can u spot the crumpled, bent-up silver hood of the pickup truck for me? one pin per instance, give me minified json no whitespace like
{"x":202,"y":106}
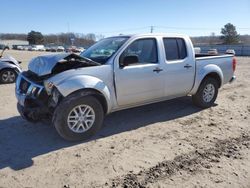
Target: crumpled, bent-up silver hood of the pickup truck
{"x":43,"y":65}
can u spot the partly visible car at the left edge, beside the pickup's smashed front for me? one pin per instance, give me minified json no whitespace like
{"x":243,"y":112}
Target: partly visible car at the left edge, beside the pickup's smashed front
{"x":9,"y":69}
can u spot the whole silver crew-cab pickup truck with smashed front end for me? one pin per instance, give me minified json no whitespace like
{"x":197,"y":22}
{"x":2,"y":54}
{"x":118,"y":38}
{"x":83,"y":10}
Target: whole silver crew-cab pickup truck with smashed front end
{"x":75,"y":92}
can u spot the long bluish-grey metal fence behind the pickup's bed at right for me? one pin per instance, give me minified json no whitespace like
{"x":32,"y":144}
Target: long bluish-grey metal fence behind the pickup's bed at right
{"x":240,"y":50}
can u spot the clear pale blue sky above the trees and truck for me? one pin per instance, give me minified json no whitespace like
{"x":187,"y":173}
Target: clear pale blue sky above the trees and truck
{"x":113,"y":17}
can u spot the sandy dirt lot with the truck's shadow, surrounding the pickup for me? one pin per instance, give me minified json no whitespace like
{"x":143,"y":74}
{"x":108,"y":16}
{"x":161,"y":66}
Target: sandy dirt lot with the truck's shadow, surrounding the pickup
{"x":169,"y":144}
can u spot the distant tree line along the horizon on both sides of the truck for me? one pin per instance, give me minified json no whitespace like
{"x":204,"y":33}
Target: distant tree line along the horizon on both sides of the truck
{"x":229,"y":35}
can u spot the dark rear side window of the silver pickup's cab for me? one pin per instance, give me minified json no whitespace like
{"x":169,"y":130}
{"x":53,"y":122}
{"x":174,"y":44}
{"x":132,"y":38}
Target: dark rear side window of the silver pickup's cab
{"x":175,"y":49}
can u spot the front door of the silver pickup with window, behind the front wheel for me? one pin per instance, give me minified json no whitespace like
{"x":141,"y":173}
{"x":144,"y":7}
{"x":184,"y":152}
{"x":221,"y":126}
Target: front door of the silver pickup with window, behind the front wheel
{"x":142,"y":81}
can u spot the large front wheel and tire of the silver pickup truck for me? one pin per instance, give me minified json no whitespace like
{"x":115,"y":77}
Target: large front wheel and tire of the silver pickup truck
{"x":67,"y":112}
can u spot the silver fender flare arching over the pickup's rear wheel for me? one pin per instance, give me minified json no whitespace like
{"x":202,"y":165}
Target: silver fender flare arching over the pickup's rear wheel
{"x":205,"y":71}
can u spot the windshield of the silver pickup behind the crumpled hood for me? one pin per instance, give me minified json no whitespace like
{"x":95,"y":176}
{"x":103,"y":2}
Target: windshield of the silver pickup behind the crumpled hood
{"x":104,"y":49}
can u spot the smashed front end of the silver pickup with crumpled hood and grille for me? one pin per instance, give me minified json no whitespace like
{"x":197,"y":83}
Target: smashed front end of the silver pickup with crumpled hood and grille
{"x":37,"y":98}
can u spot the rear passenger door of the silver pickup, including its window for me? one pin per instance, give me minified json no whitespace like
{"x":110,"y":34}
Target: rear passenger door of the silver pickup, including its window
{"x":179,"y":67}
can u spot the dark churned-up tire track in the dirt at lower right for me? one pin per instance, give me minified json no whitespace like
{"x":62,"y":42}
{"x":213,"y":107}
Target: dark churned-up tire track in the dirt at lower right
{"x":191,"y":163}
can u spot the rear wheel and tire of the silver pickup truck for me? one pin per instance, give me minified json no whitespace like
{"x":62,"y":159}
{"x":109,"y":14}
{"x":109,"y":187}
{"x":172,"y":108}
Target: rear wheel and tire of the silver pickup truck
{"x":207,"y":93}
